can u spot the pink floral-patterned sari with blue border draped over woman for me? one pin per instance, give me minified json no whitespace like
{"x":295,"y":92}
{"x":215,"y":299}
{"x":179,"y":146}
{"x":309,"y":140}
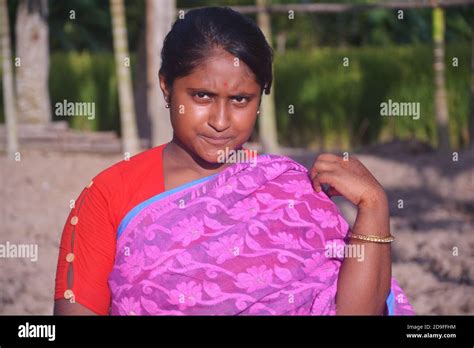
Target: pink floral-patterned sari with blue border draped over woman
{"x":251,"y":240}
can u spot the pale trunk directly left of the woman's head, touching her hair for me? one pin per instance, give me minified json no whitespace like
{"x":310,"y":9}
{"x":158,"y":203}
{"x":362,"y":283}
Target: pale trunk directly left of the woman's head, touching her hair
{"x":159,"y":18}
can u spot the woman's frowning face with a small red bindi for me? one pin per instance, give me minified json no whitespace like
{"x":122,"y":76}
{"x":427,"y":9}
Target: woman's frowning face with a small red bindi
{"x":214,"y":107}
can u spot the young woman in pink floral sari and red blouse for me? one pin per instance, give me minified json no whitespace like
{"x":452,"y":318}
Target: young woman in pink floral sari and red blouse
{"x":175,"y":230}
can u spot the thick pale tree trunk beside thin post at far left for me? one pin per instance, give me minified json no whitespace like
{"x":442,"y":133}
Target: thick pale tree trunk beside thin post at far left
{"x":32,"y":45}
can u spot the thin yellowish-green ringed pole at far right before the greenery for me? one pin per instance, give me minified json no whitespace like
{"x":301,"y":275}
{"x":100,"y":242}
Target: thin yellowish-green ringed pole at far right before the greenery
{"x":441,"y":102}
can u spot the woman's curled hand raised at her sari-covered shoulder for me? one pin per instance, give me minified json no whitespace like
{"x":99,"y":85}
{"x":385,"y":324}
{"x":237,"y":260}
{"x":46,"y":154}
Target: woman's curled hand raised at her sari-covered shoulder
{"x":349,"y":178}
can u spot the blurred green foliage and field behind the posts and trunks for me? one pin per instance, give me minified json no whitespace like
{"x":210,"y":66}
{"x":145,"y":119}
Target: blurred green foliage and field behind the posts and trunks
{"x":333,"y":105}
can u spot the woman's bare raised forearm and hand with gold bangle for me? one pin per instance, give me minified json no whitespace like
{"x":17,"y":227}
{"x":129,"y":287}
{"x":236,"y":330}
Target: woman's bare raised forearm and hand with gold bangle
{"x":364,"y":283}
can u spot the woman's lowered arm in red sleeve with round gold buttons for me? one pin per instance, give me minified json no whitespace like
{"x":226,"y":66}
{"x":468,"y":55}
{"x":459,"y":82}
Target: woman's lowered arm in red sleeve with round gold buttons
{"x":87,"y":250}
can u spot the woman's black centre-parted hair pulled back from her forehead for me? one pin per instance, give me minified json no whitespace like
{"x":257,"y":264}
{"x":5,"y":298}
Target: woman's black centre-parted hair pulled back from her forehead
{"x":202,"y":30}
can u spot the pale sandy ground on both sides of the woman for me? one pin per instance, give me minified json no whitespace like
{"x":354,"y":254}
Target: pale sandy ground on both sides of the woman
{"x":433,"y":256}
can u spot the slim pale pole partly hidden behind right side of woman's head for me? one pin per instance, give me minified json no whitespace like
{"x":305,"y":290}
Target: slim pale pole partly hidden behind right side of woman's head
{"x":266,"y":119}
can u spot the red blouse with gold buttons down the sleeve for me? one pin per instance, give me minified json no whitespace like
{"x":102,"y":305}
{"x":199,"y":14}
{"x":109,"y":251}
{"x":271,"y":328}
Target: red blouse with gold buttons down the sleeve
{"x":87,"y":248}
